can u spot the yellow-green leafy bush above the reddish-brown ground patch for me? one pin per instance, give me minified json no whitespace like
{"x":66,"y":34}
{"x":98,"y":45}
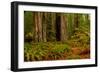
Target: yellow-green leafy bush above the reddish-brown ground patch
{"x":80,"y":39}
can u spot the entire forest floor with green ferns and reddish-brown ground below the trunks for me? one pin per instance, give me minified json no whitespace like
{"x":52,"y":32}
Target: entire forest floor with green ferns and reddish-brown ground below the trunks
{"x":54,"y":51}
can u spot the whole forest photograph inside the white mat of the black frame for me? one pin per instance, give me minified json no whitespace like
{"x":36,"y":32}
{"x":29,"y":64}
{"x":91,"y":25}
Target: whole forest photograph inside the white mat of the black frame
{"x":56,"y":36}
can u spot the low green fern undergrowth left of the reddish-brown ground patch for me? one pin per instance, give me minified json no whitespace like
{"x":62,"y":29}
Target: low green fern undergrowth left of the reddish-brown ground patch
{"x":44,"y":51}
